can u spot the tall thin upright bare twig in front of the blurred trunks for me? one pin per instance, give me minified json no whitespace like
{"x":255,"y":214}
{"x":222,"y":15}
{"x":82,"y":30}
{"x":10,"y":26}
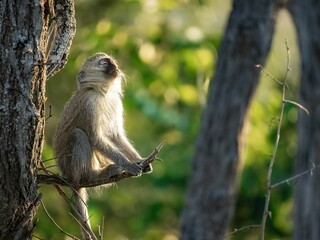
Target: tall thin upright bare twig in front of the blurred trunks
{"x":266,"y":211}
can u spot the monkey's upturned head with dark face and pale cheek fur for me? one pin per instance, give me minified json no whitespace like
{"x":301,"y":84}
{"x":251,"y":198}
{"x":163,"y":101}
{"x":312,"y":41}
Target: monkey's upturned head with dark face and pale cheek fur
{"x":99,"y":70}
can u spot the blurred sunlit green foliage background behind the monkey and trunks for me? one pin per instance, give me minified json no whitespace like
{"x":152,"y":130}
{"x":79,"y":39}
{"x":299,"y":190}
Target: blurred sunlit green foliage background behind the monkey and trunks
{"x":168,"y":50}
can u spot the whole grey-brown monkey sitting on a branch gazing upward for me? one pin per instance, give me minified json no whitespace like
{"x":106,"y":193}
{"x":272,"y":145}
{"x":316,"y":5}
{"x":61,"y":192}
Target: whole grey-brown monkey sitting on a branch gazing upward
{"x":90,"y":140}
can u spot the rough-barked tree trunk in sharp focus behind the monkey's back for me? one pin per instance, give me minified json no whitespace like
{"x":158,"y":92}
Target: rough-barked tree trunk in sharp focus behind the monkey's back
{"x":23,"y":31}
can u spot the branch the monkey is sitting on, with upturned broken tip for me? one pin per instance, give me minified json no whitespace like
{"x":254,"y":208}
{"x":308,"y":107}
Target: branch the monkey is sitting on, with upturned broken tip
{"x":56,"y":179}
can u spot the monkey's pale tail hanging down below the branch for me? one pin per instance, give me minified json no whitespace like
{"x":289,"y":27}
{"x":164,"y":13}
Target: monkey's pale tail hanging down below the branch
{"x":81,"y":197}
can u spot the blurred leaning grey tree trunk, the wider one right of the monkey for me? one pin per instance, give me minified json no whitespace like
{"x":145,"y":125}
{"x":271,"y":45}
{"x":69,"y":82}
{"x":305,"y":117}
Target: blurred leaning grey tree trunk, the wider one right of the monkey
{"x":210,"y":197}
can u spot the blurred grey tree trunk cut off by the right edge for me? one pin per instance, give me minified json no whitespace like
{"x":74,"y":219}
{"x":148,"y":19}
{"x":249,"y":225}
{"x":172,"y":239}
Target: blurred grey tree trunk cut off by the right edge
{"x":306,"y":15}
